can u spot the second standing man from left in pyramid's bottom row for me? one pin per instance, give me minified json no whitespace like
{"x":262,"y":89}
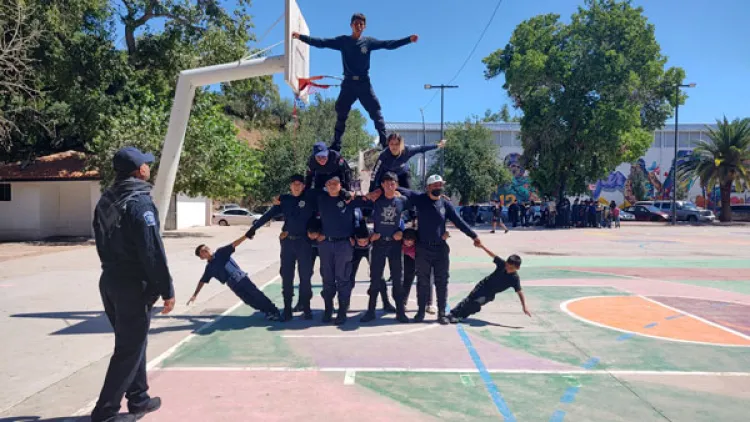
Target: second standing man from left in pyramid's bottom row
{"x":337,"y":217}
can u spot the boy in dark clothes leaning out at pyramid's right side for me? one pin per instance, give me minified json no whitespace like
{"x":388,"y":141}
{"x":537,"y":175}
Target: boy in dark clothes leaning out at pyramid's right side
{"x":504,"y":277}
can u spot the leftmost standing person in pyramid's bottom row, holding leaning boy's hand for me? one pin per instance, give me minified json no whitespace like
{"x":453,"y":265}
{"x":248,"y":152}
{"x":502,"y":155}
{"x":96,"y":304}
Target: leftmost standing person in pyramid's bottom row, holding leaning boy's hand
{"x":298,"y":208}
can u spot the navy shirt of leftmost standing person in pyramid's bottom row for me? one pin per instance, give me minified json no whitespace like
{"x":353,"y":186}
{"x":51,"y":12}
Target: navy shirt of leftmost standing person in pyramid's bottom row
{"x":297,"y":211}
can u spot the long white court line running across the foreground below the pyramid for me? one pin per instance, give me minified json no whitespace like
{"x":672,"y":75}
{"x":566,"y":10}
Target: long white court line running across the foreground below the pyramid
{"x":445,"y":370}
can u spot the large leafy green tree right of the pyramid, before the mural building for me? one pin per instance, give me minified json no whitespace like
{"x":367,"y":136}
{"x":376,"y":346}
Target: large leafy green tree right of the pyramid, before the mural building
{"x":592,"y":92}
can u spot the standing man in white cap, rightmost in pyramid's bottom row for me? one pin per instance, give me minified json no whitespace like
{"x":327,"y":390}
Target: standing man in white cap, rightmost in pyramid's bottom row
{"x":432,"y":253}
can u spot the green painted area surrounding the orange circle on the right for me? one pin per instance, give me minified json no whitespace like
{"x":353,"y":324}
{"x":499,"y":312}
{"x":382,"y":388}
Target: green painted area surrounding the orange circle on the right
{"x":555,"y":335}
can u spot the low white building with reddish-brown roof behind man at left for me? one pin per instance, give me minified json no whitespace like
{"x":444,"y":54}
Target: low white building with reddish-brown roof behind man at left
{"x":55,"y":196}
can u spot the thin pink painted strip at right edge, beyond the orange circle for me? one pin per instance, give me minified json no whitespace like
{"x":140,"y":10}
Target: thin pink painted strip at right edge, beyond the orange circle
{"x":715,"y":274}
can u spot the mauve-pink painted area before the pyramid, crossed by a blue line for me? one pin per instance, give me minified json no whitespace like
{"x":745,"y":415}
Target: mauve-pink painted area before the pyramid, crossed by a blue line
{"x":437,"y":347}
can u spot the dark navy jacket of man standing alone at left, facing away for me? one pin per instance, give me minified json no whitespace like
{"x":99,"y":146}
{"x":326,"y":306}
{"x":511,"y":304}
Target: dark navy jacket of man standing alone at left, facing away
{"x":126,"y":228}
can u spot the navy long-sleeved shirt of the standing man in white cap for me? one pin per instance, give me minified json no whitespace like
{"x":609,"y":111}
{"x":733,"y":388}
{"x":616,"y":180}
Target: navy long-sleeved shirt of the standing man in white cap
{"x":432,"y":216}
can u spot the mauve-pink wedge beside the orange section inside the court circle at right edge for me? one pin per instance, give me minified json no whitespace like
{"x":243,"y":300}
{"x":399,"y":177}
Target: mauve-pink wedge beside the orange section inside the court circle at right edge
{"x":730,"y":315}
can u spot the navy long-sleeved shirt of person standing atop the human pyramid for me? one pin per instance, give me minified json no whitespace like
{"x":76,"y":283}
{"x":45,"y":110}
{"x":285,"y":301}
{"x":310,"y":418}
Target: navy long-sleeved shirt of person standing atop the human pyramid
{"x":355,"y":54}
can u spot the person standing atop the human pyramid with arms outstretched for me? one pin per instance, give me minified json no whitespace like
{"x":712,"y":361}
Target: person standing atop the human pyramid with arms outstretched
{"x":355,"y":55}
